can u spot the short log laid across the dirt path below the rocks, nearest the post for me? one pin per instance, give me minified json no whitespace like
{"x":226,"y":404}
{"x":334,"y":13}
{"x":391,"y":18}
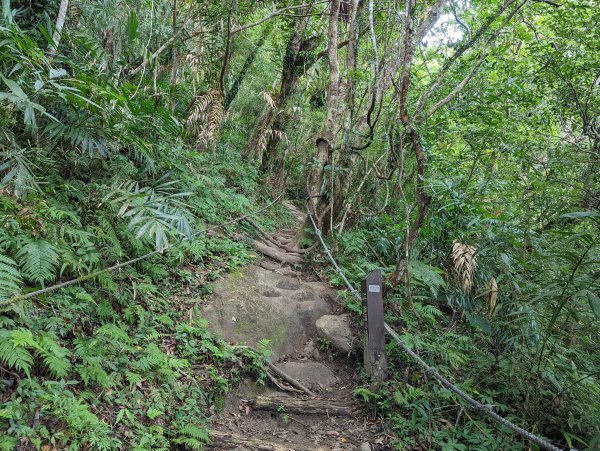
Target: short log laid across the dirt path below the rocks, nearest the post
{"x":302,"y":406}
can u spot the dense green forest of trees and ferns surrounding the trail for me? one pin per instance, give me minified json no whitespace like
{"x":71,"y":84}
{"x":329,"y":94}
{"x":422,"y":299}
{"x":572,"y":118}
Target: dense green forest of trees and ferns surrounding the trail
{"x":454,"y":144}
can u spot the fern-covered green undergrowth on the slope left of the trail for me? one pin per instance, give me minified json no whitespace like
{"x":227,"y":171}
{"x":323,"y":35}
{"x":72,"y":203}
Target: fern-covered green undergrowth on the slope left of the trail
{"x":92,"y":175}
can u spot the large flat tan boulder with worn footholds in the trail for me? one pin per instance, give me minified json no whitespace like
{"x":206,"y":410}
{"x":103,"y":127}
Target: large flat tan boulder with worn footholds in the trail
{"x":258,"y":303}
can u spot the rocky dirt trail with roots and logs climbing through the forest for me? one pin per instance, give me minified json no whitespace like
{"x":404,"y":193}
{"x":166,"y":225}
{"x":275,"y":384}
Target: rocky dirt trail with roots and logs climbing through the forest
{"x":296,"y":312}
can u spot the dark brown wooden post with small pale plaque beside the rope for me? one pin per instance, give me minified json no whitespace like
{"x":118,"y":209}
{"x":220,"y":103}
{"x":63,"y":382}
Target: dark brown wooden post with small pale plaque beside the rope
{"x":374,"y":342}
